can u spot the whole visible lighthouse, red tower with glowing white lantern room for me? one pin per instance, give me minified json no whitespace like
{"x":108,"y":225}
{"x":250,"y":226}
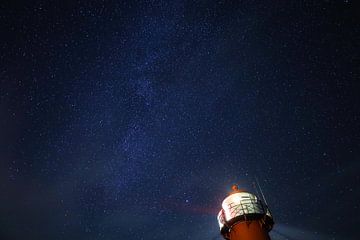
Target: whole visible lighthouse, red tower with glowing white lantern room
{"x":244,"y":217}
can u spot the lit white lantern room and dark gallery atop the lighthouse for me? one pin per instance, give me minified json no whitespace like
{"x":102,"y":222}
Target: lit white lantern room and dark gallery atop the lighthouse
{"x":241,"y":206}
